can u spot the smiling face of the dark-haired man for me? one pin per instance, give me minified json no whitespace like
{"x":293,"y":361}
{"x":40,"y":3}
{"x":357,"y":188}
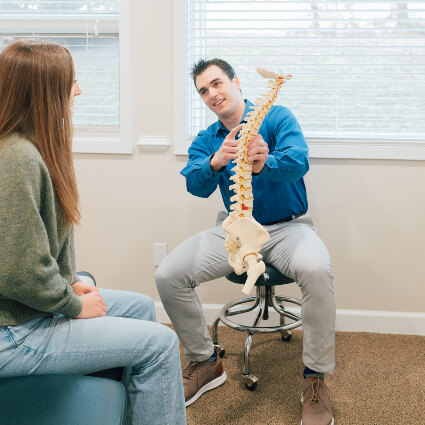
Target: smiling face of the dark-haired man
{"x":219,"y":93}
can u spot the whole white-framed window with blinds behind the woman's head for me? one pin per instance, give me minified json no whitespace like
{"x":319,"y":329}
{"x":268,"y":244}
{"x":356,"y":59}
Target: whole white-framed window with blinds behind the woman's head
{"x":97,"y":34}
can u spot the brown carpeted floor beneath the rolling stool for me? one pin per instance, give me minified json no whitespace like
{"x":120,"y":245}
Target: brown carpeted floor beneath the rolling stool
{"x":378,"y":380}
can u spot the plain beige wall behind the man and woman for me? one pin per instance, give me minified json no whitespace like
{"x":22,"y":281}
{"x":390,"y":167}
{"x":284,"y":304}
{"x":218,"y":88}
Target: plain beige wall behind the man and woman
{"x":368,"y":212}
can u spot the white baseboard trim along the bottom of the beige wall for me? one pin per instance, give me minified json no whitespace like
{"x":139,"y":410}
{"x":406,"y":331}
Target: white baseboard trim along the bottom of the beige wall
{"x":388,"y":322}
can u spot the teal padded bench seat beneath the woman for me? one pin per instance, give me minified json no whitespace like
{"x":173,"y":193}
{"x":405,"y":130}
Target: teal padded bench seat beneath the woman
{"x":61,"y":399}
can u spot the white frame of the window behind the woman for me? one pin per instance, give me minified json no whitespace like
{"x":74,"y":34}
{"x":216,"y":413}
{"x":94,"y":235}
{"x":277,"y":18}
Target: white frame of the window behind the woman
{"x":88,"y":140}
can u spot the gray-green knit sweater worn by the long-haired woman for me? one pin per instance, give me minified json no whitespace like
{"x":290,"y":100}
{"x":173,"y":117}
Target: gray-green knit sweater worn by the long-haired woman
{"x":37,"y":263}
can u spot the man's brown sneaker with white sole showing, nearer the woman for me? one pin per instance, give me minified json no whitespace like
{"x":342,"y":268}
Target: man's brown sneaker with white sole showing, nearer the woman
{"x":200,"y":377}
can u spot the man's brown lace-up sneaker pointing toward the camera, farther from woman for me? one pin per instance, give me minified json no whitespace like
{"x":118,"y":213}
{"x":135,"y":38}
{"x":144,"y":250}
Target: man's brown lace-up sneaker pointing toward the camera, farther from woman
{"x":317,"y":409}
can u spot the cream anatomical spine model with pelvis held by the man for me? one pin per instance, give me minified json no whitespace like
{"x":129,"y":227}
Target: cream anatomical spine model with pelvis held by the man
{"x":244,"y":235}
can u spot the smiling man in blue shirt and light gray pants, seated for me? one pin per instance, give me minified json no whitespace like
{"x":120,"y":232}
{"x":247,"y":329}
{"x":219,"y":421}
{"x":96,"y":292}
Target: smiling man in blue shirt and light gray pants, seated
{"x":280,"y":156}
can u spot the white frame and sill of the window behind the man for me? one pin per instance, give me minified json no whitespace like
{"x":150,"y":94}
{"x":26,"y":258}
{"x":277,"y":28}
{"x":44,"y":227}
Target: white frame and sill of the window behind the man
{"x":373,"y":147}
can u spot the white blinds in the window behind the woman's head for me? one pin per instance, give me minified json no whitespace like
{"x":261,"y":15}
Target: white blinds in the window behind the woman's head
{"x":89,"y":29}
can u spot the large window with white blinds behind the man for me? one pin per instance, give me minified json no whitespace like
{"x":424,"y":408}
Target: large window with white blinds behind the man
{"x":358,"y":67}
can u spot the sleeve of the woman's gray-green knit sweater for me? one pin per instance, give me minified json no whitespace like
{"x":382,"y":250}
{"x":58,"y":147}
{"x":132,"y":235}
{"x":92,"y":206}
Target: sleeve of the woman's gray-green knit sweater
{"x":29,"y":273}
